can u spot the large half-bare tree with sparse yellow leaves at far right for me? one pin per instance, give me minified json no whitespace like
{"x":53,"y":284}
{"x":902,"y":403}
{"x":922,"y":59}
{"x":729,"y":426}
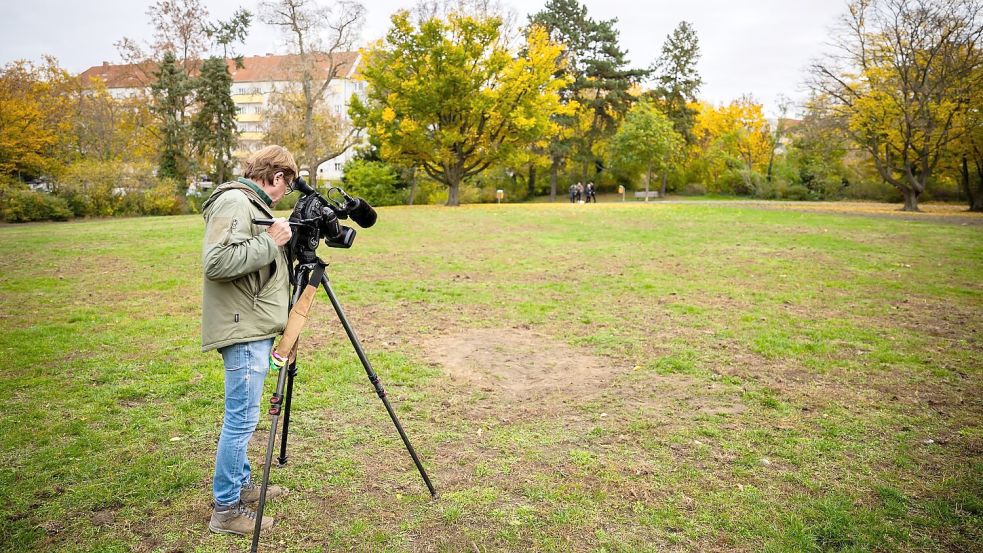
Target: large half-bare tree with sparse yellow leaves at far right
{"x":895,"y":88}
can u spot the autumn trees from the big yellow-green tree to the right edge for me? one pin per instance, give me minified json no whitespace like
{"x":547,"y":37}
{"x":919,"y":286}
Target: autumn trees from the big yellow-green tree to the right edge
{"x":456,"y":98}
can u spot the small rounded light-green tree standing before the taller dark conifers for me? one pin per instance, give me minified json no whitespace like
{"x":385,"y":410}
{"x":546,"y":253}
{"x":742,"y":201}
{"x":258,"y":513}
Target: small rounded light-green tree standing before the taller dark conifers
{"x":646,"y":143}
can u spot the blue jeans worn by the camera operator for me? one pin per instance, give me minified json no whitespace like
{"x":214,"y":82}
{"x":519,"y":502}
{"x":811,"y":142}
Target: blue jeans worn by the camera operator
{"x":246,"y":365}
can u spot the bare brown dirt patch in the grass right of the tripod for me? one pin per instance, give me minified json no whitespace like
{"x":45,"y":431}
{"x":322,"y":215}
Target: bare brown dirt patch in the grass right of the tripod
{"x":517,"y":362}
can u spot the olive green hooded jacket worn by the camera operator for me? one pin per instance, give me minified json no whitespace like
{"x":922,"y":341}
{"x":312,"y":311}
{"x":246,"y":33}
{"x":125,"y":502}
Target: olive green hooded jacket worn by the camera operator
{"x":245,"y":294}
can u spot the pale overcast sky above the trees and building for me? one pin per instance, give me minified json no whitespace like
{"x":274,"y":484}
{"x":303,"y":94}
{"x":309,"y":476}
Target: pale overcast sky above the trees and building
{"x":758,"y":47}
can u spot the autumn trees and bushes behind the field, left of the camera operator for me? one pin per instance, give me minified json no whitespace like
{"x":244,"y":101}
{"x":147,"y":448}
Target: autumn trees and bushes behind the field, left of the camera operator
{"x":71,"y":148}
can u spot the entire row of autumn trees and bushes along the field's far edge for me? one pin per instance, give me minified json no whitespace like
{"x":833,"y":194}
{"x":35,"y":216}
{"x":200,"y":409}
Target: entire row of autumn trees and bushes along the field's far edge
{"x":463,"y":101}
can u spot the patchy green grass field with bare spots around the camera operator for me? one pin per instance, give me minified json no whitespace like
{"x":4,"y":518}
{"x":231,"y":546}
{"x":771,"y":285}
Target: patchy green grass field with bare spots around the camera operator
{"x":575,"y":378}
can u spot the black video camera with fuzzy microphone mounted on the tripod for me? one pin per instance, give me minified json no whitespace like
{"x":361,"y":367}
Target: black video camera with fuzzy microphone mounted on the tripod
{"x":316,"y":216}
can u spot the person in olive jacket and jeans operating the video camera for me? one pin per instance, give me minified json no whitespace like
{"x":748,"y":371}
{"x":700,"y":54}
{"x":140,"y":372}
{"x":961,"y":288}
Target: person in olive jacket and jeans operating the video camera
{"x":245,"y":300}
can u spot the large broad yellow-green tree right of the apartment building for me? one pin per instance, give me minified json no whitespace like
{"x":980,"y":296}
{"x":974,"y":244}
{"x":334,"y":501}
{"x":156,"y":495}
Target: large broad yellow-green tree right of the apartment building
{"x":448,"y":97}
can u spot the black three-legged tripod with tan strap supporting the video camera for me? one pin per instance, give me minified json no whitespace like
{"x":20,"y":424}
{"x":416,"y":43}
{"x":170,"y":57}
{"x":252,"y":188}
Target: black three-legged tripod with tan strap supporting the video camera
{"x":307,"y":278}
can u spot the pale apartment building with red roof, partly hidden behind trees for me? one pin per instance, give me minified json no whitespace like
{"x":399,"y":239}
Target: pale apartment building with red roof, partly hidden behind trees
{"x":253,"y":85}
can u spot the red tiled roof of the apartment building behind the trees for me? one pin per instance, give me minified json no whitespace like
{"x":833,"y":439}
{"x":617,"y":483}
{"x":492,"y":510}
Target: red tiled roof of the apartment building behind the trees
{"x":255,"y":69}
